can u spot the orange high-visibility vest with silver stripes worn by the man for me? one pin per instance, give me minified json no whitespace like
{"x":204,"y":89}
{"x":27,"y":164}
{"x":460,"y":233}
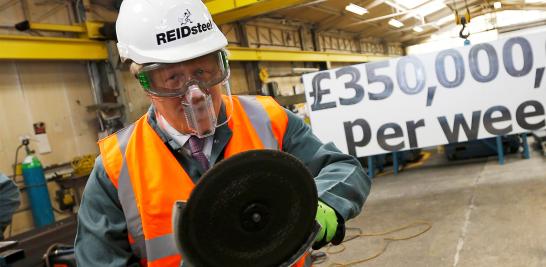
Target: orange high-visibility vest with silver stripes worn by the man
{"x":149,"y":179}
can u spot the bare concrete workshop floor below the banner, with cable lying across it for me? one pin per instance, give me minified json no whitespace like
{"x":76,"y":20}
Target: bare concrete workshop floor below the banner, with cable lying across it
{"x":482,"y":214}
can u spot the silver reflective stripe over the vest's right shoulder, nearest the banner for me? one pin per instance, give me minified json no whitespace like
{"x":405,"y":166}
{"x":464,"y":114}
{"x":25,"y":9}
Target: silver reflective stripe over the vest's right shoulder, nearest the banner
{"x":260,"y":120}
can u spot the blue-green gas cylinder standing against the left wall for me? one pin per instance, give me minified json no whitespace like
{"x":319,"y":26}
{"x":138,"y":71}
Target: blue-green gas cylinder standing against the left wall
{"x":36,"y":188}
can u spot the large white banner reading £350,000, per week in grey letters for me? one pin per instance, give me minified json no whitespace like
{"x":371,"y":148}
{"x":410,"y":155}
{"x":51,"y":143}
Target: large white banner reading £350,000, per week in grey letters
{"x":451,"y":96}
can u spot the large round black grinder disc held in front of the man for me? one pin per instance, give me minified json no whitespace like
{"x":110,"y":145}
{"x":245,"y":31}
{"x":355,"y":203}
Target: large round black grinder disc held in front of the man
{"x":253,"y":209}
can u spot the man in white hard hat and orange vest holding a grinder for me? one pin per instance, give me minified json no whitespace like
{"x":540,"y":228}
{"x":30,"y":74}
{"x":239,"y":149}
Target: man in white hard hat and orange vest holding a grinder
{"x":178,"y":55}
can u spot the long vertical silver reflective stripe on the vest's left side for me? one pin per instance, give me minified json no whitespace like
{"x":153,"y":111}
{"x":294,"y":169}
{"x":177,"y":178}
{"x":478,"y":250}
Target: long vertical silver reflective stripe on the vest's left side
{"x":127,"y":197}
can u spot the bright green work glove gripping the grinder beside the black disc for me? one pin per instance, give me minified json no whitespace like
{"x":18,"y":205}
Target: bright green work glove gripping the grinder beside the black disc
{"x":327,"y":218}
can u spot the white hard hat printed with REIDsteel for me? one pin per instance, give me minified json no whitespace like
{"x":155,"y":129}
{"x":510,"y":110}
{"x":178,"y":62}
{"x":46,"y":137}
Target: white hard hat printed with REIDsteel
{"x":166,"y":31}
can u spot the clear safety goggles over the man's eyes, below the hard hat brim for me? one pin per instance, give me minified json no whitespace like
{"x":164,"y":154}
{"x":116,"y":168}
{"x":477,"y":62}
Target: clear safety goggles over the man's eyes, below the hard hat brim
{"x":174,"y":79}
